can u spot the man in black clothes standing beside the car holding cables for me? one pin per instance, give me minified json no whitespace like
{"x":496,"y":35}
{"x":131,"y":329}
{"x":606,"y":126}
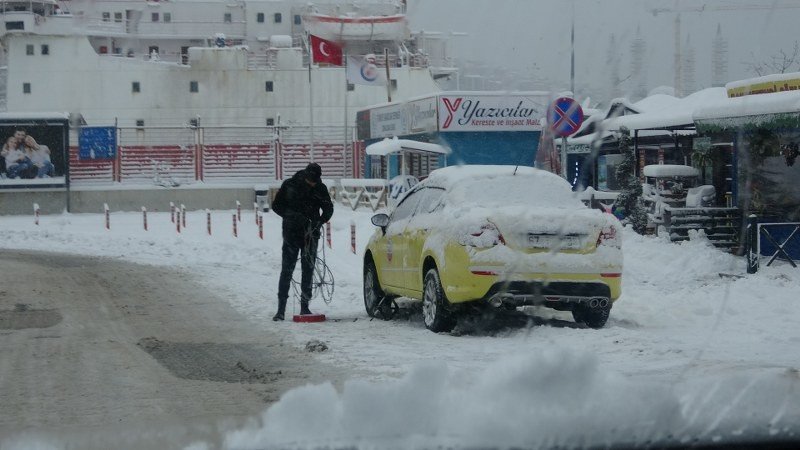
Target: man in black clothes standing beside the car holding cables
{"x":299,"y":201}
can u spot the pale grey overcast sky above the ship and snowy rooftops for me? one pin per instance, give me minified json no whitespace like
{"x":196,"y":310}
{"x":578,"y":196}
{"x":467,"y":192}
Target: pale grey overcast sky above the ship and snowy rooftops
{"x":516,"y":34}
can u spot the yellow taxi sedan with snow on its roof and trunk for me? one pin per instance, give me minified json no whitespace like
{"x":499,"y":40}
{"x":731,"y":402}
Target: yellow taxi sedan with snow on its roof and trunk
{"x":506,"y":236}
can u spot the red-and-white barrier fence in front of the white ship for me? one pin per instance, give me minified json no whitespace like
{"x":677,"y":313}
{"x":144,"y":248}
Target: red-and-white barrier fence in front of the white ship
{"x":172,"y":156}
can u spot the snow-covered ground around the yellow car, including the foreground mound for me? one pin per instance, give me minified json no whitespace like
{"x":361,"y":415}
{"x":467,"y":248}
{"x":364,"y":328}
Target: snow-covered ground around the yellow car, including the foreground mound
{"x":695,"y":347}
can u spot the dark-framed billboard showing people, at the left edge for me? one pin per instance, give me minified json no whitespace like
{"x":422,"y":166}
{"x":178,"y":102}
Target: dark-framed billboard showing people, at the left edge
{"x":33,"y":152}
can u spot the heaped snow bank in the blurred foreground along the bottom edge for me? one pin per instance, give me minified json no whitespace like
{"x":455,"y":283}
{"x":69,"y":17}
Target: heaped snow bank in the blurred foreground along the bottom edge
{"x":550,"y":398}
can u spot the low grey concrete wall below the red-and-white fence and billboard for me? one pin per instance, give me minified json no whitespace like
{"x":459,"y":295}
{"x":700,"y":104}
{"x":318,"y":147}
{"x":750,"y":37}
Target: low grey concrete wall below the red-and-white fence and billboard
{"x":54,"y":201}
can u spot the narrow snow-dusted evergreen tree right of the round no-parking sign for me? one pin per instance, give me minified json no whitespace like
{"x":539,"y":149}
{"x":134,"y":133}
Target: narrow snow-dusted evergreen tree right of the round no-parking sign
{"x":630,"y":196}
